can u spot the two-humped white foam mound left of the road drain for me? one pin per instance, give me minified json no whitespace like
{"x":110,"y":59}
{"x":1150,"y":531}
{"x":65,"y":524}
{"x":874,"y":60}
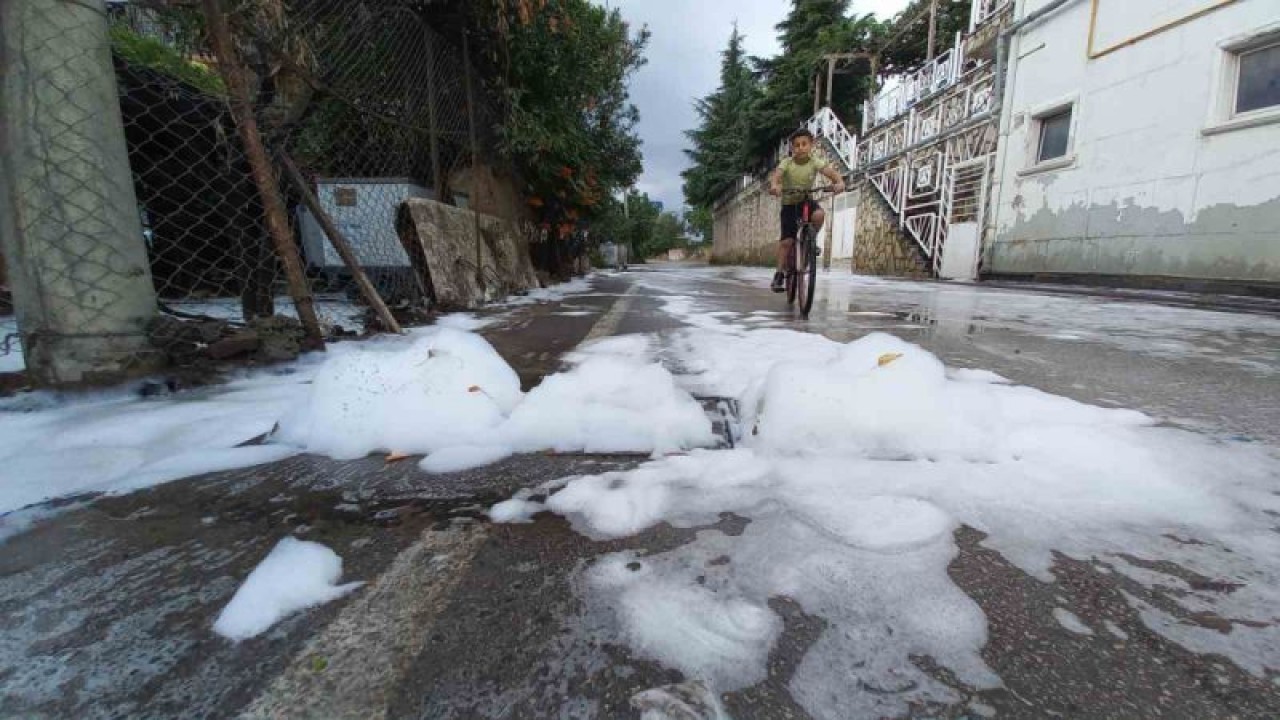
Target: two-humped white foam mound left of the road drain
{"x":451,"y":397}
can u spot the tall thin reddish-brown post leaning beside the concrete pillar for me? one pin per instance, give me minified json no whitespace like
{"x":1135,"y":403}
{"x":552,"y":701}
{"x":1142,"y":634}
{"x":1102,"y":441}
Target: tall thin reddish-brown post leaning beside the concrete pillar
{"x":273,"y":207}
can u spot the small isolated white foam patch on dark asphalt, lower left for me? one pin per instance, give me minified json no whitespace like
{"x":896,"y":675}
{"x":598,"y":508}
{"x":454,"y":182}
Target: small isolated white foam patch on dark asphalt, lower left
{"x":294,"y":577}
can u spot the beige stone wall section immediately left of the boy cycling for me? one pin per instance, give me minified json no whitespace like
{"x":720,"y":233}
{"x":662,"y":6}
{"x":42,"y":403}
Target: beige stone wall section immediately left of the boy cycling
{"x":747,"y":229}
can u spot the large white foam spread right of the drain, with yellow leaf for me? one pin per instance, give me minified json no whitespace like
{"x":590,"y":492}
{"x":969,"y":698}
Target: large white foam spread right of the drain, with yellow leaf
{"x":858,"y":462}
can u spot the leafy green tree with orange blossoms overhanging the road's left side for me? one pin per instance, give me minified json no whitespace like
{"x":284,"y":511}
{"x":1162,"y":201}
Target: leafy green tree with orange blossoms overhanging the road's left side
{"x":563,"y":67}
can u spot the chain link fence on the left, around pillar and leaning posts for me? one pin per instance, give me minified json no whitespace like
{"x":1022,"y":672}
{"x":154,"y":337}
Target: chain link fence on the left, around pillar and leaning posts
{"x":365,"y":98}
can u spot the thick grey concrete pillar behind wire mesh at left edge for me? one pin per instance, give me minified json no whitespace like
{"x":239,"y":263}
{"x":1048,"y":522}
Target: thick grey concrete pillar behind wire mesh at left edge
{"x":70,"y":222}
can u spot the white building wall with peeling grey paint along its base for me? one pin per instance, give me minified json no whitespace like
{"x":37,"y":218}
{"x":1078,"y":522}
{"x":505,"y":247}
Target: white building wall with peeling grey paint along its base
{"x":1149,"y":188}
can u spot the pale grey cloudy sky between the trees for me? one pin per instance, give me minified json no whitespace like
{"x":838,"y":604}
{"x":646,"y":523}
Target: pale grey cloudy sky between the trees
{"x":684,"y":63}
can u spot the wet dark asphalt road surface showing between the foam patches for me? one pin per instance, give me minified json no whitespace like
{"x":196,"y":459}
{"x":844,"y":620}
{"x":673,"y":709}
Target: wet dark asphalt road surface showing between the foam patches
{"x":106,"y":610}
